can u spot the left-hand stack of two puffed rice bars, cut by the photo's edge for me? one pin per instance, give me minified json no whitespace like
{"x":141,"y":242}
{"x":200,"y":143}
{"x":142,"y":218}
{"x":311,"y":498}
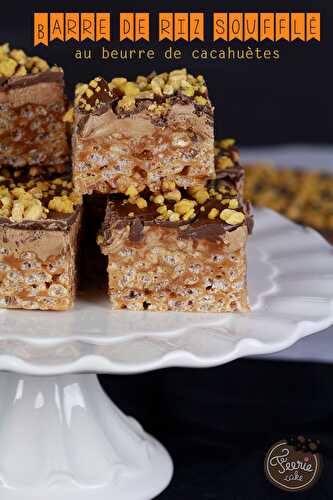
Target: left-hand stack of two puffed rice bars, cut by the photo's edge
{"x":39,"y":211}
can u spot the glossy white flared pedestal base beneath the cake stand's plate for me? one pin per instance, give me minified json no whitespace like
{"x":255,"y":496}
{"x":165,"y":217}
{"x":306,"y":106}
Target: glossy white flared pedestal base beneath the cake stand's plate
{"x":62,"y":438}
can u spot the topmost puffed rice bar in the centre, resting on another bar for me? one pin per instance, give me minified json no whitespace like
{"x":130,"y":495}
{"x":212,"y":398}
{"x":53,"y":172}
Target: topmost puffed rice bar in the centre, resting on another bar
{"x":140,"y":133}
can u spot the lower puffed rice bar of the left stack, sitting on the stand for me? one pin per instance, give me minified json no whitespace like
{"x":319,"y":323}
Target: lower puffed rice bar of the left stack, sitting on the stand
{"x":39,"y":224}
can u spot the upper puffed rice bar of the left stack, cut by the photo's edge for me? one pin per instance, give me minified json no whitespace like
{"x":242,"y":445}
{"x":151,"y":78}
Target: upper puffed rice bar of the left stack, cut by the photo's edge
{"x":32,"y":105}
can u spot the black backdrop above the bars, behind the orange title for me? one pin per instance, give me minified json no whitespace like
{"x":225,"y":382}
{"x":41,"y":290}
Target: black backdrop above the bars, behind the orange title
{"x":258,"y":102}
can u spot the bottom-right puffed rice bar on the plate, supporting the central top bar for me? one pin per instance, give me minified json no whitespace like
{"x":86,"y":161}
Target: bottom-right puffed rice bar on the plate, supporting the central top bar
{"x":178,"y":255}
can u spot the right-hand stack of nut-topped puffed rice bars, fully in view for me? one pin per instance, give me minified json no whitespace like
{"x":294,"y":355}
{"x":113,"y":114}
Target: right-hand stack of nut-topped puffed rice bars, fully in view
{"x":176,"y":224}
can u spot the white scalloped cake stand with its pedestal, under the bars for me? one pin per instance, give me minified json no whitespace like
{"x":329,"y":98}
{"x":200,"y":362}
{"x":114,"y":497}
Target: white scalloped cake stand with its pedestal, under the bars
{"x":62,"y":438}
